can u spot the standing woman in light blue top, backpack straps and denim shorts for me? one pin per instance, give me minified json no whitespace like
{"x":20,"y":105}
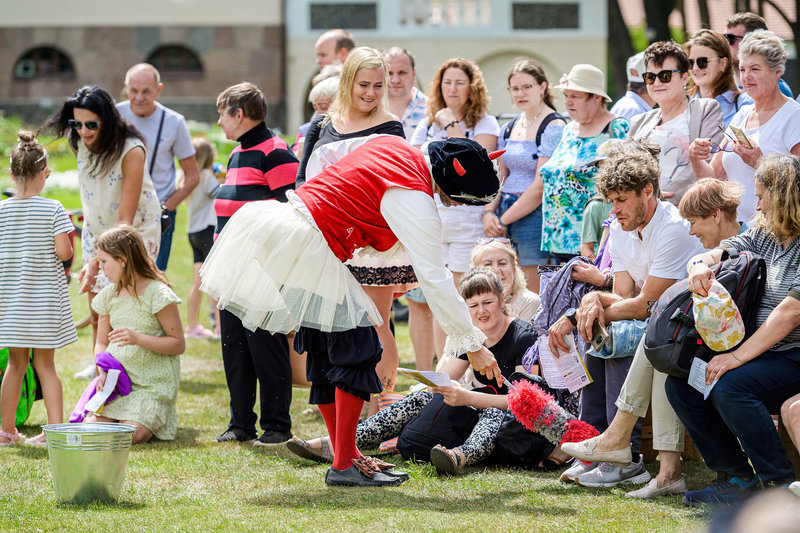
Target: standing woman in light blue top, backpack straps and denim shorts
{"x":529,"y":140}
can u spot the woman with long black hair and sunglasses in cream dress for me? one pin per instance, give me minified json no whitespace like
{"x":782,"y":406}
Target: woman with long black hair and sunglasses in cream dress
{"x":114,"y":182}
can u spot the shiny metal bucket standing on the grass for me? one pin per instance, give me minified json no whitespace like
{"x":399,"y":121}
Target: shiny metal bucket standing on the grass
{"x":88,"y":460}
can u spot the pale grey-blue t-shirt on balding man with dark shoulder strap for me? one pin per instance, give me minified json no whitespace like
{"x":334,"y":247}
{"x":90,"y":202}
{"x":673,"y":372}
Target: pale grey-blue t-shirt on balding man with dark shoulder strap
{"x":175,"y":142}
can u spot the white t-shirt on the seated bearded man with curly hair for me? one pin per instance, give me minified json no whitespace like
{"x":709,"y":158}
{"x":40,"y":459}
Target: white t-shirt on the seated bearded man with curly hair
{"x":662,"y":251}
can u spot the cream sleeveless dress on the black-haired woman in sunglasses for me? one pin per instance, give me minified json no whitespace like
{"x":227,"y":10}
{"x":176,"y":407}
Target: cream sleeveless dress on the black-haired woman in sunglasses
{"x":100,"y":197}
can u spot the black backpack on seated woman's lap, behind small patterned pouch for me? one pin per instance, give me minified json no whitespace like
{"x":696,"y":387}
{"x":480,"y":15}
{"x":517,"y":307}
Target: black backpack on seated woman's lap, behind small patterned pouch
{"x":671,"y":340}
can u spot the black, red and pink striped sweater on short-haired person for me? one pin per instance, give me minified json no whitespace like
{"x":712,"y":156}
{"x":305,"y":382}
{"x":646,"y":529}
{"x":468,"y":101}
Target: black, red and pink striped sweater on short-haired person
{"x":261,"y":168}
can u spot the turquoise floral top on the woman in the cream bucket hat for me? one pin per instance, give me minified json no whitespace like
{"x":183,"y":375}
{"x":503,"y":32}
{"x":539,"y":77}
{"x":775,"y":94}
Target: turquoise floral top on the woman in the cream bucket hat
{"x":568,"y":179}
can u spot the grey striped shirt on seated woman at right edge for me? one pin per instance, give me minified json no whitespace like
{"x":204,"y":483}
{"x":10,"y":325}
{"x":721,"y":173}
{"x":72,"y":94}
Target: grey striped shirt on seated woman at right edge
{"x":783,"y":276}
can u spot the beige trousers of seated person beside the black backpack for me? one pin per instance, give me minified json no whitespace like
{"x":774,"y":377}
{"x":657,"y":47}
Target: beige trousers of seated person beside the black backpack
{"x":643,"y":383}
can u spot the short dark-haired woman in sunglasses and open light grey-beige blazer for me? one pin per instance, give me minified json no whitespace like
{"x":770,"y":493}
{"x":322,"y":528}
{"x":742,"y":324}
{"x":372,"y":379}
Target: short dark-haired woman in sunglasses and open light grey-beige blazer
{"x":677,"y":121}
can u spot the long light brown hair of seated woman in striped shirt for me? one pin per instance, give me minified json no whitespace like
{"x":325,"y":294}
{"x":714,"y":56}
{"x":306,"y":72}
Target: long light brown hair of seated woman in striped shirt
{"x":780,"y":175}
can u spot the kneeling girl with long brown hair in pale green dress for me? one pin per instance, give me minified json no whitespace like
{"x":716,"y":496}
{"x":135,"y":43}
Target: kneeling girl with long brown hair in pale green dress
{"x":140,"y":326}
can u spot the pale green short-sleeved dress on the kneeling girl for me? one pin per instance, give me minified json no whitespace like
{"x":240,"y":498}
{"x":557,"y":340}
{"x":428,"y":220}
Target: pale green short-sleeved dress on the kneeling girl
{"x":154,"y":376}
